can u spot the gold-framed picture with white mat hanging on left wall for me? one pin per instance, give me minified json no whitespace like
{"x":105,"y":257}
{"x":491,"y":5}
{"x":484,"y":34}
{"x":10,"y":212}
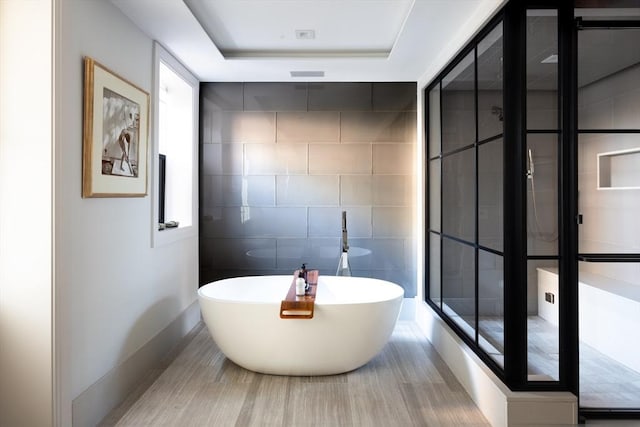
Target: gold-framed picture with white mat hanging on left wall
{"x":115,"y":135}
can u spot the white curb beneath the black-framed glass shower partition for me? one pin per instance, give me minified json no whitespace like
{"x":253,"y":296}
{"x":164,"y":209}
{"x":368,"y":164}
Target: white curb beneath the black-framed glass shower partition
{"x":501,"y":406}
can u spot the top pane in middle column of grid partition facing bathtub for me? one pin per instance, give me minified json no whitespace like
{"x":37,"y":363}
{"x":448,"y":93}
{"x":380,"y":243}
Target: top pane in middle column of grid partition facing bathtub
{"x":458,"y":106}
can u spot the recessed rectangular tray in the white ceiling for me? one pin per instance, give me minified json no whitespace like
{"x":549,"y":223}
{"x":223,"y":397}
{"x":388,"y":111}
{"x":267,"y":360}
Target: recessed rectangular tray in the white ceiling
{"x":302,"y":29}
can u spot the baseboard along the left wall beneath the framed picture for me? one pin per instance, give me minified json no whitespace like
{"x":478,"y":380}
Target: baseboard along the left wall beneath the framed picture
{"x":93,"y":404}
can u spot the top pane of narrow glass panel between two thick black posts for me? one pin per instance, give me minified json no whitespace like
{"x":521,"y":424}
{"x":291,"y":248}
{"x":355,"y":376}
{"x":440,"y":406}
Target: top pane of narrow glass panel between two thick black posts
{"x":542,"y":69}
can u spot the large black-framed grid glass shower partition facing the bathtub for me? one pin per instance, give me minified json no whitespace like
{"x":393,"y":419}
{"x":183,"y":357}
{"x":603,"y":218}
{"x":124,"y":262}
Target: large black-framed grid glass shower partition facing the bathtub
{"x":466,"y":265}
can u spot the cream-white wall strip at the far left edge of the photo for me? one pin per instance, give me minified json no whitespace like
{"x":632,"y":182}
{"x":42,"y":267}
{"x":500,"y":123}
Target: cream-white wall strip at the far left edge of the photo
{"x":26,"y":372}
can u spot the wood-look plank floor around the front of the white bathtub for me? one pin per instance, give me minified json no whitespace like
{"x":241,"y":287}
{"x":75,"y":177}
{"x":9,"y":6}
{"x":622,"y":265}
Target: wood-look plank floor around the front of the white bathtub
{"x":407,"y":384}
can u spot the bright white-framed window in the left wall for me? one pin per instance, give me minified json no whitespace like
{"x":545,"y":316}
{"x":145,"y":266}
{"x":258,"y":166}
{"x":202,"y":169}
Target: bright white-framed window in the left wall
{"x":174,"y":150}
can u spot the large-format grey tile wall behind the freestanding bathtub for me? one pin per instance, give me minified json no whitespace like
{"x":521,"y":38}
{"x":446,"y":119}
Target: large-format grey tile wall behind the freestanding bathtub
{"x":281,"y":161}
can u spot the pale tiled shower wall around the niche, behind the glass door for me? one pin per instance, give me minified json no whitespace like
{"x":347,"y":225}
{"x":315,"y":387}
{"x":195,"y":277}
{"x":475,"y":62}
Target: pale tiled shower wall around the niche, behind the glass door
{"x":610,"y":217}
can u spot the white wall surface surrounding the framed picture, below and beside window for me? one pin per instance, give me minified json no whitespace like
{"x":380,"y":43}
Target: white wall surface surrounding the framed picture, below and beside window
{"x":115,"y":292}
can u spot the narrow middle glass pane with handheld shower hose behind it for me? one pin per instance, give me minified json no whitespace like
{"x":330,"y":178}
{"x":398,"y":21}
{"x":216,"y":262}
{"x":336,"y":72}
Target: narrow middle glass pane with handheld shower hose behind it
{"x":542,"y":194}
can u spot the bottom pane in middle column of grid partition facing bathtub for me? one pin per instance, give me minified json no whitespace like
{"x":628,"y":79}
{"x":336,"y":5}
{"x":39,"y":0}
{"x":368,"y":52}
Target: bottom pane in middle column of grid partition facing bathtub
{"x":458,"y":284}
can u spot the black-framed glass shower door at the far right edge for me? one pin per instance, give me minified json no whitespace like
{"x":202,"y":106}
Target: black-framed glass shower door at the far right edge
{"x":608,"y":145}
